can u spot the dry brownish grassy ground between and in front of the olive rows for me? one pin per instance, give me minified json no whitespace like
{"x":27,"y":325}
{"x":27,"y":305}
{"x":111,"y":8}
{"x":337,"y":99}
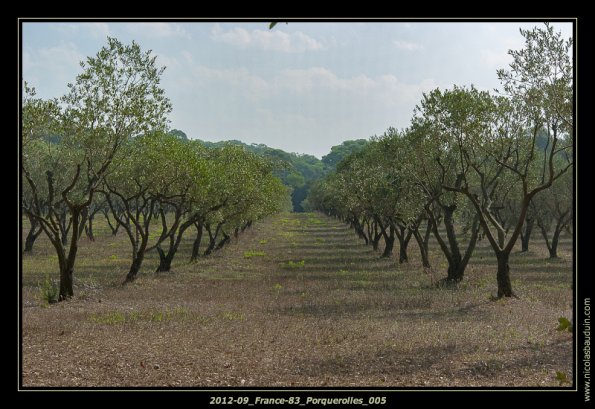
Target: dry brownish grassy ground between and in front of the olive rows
{"x":297,"y":301}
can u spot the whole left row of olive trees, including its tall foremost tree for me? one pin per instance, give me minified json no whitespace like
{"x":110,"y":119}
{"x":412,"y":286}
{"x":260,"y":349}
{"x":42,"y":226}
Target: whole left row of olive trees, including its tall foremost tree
{"x":103,"y":147}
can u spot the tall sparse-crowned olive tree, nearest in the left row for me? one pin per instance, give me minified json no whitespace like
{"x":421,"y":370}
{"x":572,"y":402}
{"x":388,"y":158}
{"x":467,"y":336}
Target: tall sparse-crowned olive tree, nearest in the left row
{"x":116,"y":97}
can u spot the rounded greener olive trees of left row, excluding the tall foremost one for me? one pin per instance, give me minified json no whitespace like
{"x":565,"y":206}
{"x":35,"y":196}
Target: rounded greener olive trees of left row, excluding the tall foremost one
{"x":180,"y":185}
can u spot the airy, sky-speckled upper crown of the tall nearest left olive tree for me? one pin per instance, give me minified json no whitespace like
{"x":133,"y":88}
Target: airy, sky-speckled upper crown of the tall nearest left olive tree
{"x":122,"y":84}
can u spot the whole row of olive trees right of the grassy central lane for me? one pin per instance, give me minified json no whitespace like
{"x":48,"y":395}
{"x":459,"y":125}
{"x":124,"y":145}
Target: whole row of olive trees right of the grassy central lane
{"x":487,"y":161}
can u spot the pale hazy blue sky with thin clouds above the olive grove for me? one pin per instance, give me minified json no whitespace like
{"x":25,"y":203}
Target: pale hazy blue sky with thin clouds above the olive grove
{"x":301,"y":87}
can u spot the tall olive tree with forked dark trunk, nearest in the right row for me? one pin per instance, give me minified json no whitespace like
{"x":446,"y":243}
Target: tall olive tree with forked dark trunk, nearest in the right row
{"x":496,"y":149}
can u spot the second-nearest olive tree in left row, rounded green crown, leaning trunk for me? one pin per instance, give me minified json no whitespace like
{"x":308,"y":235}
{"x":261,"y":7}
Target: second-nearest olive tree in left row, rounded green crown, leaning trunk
{"x":151,"y":172}
